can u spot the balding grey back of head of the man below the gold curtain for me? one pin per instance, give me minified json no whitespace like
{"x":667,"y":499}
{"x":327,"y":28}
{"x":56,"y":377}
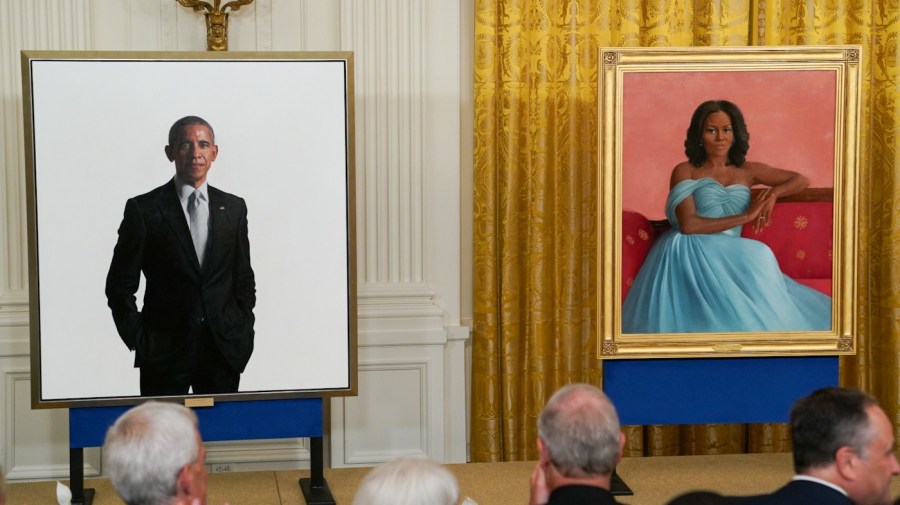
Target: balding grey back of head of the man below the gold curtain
{"x":580,"y":430}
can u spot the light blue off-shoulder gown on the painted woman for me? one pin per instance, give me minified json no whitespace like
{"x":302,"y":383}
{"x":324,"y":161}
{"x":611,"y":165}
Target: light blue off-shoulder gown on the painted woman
{"x":717,"y":282}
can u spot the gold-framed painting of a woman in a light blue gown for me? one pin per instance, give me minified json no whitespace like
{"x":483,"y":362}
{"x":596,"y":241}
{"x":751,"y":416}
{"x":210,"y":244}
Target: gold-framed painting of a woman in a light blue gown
{"x":727,"y":201}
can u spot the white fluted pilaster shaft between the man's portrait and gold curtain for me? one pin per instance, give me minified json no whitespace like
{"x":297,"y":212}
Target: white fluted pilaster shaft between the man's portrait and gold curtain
{"x":390,"y":160}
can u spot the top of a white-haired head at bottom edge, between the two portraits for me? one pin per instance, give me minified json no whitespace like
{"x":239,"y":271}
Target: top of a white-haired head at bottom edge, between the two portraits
{"x":408,"y":481}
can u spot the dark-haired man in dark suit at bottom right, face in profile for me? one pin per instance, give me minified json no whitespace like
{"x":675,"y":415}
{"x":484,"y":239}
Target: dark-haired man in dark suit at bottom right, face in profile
{"x":843,"y":453}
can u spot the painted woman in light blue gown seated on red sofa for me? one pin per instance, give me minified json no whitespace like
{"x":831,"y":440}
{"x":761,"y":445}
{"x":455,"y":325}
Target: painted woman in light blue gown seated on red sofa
{"x":701,"y":275}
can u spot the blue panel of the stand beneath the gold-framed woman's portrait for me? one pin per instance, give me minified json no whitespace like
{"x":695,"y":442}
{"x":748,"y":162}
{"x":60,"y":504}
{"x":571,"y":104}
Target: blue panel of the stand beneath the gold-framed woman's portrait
{"x":714,"y":390}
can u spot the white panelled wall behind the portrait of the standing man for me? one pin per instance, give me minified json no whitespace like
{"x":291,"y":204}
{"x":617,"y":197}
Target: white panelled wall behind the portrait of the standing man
{"x":413,"y":152}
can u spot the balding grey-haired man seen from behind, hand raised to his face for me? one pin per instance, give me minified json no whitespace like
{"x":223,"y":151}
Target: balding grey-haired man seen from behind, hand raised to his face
{"x":579,"y":444}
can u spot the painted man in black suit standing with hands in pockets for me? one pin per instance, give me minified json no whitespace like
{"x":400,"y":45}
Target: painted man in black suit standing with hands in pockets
{"x":195,"y":328}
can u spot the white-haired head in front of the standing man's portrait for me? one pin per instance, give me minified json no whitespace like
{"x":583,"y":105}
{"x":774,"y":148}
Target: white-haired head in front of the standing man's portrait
{"x":147,"y":447}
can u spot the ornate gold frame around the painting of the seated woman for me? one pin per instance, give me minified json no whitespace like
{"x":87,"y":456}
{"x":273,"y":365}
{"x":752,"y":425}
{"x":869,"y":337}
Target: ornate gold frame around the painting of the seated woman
{"x":618,"y":62}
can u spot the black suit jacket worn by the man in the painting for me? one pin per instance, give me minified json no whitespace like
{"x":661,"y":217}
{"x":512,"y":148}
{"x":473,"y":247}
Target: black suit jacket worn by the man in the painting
{"x":154,"y":238}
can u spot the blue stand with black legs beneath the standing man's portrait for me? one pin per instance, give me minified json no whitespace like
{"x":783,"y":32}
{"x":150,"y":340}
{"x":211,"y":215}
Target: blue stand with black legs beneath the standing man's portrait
{"x":250,"y":420}
